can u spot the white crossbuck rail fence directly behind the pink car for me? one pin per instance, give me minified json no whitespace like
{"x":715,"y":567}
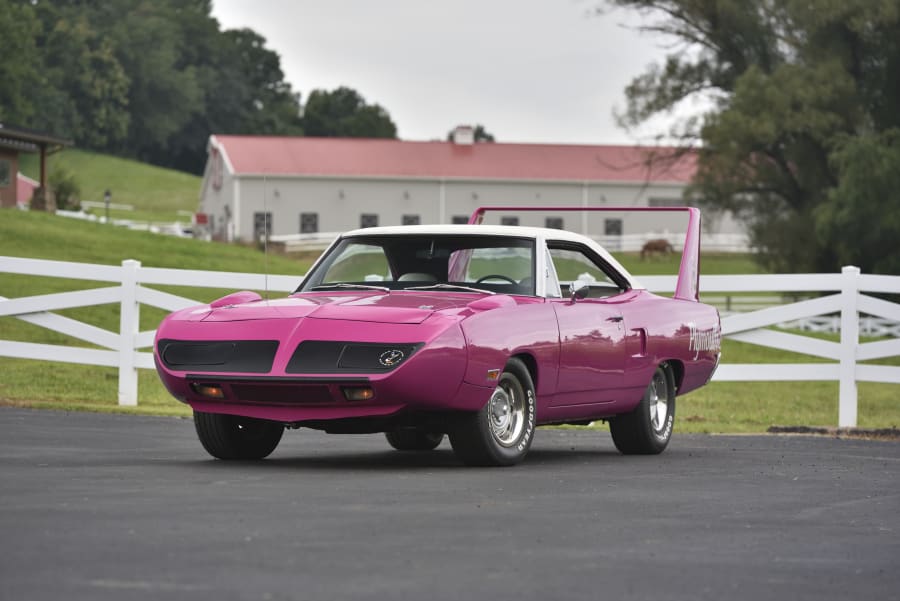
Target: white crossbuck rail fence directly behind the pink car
{"x":123,"y":349}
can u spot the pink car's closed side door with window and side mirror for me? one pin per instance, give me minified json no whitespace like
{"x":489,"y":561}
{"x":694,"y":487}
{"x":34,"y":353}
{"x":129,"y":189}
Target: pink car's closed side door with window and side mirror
{"x":591,"y":329}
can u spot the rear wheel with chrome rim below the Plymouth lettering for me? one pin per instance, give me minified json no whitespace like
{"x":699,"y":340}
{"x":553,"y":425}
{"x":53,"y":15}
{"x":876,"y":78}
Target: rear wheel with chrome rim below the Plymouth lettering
{"x":645,"y":431}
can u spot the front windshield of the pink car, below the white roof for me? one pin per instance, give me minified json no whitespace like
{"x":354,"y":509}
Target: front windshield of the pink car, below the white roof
{"x":470,"y":263}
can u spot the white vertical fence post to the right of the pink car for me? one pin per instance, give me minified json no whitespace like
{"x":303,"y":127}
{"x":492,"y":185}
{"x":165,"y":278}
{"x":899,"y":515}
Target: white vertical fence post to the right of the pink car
{"x":847,"y":397}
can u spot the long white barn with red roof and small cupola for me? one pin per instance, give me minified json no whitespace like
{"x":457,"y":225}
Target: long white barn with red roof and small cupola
{"x":324,"y":185}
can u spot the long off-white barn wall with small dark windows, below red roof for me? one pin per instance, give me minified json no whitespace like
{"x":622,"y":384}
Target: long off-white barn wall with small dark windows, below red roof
{"x":340,"y":203}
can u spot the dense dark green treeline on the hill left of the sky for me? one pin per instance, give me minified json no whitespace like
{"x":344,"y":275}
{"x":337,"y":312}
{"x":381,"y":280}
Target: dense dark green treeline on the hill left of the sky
{"x":151,"y":80}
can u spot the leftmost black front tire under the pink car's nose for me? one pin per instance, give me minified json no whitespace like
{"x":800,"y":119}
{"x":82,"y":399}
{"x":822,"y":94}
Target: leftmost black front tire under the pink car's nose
{"x":236,"y":437}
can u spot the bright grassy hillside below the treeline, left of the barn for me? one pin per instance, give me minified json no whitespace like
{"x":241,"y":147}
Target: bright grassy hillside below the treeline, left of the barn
{"x":157,"y":194}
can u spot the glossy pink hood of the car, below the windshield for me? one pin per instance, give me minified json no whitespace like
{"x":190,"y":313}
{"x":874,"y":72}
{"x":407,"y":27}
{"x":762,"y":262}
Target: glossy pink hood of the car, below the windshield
{"x":400,"y":307}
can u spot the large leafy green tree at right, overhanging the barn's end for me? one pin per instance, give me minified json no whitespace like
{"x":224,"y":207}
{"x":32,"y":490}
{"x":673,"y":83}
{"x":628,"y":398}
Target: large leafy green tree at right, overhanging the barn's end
{"x":802,"y":94}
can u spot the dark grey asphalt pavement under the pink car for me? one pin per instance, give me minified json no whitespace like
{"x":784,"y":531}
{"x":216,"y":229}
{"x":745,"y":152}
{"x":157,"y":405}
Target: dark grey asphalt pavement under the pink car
{"x":125,"y":507}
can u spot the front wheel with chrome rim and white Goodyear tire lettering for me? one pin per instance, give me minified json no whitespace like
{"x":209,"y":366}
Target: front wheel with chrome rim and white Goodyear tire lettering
{"x":501,"y":433}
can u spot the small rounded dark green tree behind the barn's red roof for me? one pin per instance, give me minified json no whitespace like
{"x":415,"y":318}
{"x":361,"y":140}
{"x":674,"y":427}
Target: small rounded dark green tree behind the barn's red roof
{"x":343,"y":113}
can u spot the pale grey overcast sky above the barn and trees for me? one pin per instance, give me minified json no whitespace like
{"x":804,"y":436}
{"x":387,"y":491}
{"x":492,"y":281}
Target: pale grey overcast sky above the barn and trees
{"x":528,"y":70}
